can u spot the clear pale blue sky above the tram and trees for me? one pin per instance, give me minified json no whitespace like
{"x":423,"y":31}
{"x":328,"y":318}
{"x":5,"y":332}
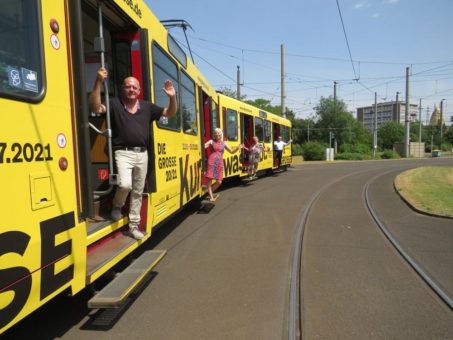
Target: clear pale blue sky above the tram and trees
{"x":384,"y":36}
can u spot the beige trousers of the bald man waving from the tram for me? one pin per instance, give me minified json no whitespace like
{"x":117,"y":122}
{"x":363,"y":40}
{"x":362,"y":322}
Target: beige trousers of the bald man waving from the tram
{"x":132,"y":167}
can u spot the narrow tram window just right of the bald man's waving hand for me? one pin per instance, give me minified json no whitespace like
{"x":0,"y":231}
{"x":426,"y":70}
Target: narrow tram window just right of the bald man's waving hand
{"x":188,"y":105}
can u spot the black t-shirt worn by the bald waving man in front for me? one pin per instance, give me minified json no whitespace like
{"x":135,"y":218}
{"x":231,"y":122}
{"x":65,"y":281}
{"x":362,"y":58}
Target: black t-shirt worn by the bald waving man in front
{"x":132,"y":129}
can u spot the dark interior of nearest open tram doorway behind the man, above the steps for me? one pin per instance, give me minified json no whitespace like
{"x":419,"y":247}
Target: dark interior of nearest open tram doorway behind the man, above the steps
{"x":105,"y":33}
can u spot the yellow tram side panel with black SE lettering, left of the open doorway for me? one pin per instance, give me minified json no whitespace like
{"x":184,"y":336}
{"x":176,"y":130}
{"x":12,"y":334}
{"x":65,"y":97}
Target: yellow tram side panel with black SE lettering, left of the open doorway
{"x":37,"y":193}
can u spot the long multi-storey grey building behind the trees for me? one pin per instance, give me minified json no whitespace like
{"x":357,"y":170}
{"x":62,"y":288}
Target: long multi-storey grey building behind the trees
{"x":386,"y":112}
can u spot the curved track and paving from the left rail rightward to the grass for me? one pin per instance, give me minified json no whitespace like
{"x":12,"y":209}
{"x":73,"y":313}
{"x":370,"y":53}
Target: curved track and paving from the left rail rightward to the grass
{"x":354,"y":284}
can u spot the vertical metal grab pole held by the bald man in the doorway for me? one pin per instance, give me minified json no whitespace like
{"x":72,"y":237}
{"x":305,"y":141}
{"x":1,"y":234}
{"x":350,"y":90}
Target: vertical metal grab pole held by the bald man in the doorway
{"x":112,"y":177}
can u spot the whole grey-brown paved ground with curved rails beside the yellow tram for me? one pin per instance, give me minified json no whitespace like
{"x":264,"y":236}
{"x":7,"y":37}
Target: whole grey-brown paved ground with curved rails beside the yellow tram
{"x":233,"y":272}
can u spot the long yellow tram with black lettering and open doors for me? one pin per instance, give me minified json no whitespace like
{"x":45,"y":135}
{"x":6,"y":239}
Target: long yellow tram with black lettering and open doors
{"x":55,"y":164}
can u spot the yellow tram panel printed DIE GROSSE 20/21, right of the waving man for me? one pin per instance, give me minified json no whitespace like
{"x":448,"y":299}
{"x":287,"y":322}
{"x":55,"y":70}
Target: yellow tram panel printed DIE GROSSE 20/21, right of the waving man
{"x":177,"y":154}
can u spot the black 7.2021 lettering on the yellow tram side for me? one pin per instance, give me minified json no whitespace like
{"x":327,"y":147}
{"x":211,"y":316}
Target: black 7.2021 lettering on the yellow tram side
{"x":27,"y":152}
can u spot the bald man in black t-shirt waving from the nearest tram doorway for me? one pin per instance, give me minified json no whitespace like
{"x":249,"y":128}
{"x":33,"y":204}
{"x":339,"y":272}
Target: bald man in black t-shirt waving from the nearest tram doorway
{"x":131,"y":129}
